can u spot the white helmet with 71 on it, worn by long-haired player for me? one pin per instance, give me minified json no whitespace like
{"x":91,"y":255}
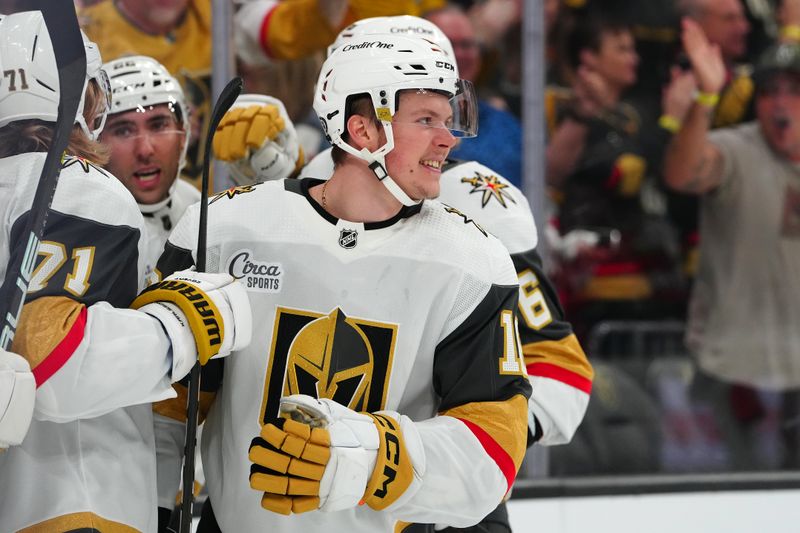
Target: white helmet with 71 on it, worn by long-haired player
{"x":30,"y":89}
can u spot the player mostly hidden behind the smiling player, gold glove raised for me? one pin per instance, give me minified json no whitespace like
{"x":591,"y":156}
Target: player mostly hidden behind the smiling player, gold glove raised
{"x":559,"y":371}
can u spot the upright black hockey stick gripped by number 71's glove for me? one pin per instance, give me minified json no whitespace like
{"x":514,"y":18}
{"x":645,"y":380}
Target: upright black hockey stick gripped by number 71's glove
{"x":224,"y":102}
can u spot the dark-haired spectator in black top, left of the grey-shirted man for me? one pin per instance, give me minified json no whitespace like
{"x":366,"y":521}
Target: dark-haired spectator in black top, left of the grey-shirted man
{"x":599,"y":158}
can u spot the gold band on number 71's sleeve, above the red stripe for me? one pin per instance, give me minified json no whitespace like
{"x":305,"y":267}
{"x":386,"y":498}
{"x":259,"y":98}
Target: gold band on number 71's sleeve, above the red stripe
{"x":43,"y":325}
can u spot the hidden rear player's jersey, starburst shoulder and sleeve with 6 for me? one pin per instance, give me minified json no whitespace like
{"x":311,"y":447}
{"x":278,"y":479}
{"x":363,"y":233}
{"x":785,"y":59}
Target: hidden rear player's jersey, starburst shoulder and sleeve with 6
{"x":559,"y":370}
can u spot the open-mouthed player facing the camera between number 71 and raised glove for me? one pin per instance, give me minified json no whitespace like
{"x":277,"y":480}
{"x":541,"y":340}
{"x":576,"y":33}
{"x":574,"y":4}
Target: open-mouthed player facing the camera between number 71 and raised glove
{"x":147,"y":133}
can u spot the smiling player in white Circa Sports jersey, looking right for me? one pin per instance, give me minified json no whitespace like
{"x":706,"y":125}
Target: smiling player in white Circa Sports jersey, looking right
{"x":378,"y":300}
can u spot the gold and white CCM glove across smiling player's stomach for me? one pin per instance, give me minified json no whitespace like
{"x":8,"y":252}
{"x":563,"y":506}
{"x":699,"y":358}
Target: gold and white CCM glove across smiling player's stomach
{"x":322,"y":455}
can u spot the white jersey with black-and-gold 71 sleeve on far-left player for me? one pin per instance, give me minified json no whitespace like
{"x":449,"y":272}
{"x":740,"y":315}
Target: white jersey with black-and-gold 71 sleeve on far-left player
{"x":87,"y":460}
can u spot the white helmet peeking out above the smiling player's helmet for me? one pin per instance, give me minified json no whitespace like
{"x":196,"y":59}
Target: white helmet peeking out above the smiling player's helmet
{"x":403,"y":25}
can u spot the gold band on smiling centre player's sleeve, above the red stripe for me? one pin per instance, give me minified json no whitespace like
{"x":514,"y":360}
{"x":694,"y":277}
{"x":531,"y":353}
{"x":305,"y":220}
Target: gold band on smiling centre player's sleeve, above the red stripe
{"x":506,"y":422}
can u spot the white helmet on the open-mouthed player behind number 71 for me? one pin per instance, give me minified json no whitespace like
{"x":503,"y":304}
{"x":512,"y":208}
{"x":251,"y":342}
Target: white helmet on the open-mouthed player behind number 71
{"x":140,"y":82}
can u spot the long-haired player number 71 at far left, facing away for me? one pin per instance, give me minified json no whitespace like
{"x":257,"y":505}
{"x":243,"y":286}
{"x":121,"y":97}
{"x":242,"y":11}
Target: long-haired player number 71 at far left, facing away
{"x":97,"y":363}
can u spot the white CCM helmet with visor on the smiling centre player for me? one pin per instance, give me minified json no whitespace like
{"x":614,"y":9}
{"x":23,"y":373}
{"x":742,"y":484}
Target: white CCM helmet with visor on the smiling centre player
{"x":381,"y":66}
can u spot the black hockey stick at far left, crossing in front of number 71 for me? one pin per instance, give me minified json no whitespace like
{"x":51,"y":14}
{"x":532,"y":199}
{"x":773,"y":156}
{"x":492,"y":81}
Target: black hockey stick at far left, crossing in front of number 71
{"x":62,"y":25}
